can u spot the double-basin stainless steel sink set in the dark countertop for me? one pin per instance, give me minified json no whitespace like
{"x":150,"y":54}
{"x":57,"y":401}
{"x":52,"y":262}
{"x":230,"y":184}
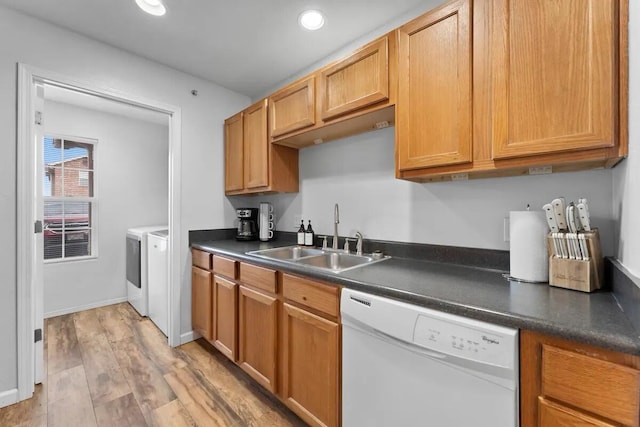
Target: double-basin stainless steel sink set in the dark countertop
{"x":326,"y":260}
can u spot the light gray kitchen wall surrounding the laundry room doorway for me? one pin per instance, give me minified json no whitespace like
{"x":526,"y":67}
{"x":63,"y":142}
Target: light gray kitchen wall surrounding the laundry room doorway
{"x":48,"y":47}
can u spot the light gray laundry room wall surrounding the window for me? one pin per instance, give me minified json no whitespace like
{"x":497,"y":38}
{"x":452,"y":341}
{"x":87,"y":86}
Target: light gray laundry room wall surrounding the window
{"x":131,"y":184}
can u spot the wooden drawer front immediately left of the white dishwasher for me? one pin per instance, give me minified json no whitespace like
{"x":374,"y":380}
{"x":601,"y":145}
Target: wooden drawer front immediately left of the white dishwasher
{"x":315,"y":295}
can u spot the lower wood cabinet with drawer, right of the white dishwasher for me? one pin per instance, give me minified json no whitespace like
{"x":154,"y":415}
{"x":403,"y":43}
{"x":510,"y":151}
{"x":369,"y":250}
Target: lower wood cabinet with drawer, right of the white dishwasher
{"x":564,"y":383}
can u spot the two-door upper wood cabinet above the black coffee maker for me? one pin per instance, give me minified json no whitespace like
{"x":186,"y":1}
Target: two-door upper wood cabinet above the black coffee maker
{"x":252,"y":163}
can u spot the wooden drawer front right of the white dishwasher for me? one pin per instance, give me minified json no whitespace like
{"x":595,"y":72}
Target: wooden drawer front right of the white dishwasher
{"x":601,"y":387}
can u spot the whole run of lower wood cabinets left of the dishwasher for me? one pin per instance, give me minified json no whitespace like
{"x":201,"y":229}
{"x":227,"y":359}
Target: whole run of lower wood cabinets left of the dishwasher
{"x":282,"y":330}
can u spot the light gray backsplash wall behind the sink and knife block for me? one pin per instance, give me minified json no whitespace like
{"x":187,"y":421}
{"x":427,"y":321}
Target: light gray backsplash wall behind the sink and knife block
{"x":358,"y":174}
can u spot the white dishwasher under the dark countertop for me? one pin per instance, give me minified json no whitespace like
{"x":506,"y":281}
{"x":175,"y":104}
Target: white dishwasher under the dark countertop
{"x":404,"y":365}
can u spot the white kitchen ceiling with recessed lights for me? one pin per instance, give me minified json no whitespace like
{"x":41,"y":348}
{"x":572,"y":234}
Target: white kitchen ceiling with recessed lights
{"x":245,"y":45}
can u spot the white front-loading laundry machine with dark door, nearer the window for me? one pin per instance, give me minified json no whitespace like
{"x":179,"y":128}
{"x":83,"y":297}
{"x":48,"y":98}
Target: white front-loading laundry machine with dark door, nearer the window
{"x":136,"y":253}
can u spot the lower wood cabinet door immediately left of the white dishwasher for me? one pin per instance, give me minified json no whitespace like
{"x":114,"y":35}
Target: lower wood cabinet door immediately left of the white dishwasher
{"x":311,"y":366}
